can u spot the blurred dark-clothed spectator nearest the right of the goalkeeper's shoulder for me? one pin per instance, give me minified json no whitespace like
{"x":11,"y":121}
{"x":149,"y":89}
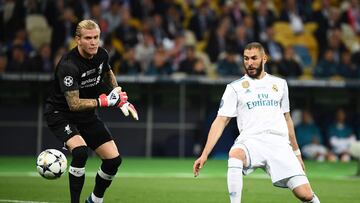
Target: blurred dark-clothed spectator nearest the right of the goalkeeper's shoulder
{"x":129,"y":64}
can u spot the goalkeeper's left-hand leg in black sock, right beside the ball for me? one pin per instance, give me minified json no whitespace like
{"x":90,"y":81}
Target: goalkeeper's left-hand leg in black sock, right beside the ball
{"x":78,"y":149}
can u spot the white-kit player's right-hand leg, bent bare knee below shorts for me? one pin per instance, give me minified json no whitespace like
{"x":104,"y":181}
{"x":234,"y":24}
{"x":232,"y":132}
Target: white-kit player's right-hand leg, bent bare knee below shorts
{"x":301,"y":188}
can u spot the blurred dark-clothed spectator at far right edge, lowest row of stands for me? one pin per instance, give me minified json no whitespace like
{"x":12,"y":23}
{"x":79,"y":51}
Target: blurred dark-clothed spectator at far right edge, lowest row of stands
{"x":347,"y":68}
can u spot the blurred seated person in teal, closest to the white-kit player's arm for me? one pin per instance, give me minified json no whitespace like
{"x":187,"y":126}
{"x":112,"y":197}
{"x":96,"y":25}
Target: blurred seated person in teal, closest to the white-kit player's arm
{"x":310,"y":139}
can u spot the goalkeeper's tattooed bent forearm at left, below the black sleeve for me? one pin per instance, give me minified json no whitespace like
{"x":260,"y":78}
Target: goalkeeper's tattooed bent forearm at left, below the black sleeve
{"x":77,"y":104}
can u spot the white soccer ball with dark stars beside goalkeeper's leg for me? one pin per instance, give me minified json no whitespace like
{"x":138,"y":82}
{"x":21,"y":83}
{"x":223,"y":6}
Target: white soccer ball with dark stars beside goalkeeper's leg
{"x":51,"y":163}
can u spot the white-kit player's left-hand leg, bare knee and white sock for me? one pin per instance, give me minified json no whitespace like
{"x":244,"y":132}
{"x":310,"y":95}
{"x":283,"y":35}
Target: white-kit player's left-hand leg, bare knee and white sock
{"x":237,"y":159}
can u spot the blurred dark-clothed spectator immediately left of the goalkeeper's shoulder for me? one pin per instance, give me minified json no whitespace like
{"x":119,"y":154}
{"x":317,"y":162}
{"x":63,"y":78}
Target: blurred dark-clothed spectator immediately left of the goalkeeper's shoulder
{"x":42,"y":61}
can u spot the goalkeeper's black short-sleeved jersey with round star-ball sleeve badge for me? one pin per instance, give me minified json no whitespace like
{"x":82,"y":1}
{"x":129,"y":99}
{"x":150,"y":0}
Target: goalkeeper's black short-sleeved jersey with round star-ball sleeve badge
{"x":75,"y":72}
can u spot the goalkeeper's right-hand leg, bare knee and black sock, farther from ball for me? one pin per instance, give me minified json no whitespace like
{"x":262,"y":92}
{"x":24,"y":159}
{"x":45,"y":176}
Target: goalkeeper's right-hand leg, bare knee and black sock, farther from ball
{"x":111,"y":160}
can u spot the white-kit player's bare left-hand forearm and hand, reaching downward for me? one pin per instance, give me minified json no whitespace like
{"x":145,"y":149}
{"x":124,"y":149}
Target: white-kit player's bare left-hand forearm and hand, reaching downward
{"x":216,"y":130}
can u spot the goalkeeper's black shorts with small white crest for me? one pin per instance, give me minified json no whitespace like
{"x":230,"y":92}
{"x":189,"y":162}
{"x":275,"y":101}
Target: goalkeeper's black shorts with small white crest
{"x":66,"y":125}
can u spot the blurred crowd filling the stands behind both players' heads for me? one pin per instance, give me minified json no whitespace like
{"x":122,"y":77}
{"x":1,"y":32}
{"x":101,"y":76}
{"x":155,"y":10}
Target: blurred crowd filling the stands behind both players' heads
{"x":303,"y":38}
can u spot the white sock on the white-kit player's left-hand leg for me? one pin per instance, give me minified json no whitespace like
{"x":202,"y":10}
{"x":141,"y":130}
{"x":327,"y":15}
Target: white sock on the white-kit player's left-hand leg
{"x":234,"y":179}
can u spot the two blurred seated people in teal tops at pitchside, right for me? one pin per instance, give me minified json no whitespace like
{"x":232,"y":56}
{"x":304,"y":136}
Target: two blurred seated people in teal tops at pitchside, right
{"x":331,"y":142}
